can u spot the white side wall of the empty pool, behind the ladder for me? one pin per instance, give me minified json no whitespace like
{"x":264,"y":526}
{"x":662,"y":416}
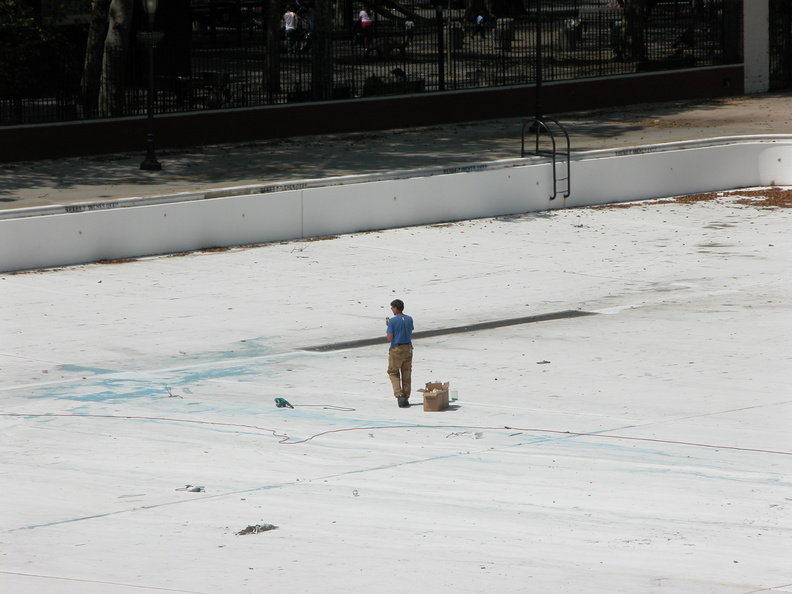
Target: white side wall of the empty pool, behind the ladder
{"x":133,"y":228}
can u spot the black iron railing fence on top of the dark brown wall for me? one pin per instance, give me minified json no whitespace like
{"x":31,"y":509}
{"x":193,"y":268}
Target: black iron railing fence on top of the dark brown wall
{"x":228,"y":64}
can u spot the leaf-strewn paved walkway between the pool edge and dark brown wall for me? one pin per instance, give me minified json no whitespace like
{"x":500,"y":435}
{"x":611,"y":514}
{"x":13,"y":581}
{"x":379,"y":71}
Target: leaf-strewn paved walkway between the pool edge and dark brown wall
{"x":106,"y":177}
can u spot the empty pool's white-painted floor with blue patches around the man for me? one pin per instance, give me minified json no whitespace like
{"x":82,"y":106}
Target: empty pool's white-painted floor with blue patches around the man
{"x":645,"y":449}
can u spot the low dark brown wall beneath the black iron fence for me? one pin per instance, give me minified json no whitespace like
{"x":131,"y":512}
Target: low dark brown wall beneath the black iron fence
{"x":70,"y":139}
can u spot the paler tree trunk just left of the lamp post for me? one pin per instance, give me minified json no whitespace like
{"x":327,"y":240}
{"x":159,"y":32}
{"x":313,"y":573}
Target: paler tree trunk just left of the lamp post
{"x":112,"y":102}
